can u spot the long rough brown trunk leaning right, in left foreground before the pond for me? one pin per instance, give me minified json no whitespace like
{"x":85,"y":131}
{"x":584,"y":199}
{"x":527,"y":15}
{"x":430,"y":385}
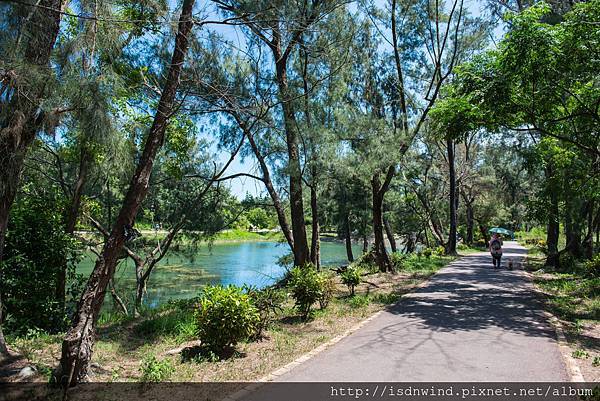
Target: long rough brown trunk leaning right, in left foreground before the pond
{"x":77,"y":347}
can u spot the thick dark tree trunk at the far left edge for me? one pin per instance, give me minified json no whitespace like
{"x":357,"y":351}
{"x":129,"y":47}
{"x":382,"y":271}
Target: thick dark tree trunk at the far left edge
{"x":23,"y":114}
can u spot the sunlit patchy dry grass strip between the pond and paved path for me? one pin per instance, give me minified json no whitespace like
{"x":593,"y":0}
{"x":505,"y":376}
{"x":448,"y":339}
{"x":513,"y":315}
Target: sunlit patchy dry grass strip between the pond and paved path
{"x":148,"y":348}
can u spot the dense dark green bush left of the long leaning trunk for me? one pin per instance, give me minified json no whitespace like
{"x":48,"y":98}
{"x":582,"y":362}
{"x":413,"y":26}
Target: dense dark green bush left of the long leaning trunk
{"x":36,"y":250}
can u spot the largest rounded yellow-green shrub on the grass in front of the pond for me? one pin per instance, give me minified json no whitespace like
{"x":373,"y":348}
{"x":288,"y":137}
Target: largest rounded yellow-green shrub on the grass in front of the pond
{"x":225,"y":316}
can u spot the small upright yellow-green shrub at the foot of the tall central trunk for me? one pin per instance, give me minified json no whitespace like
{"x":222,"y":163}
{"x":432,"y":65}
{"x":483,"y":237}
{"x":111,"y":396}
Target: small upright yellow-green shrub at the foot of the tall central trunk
{"x":307,"y":287}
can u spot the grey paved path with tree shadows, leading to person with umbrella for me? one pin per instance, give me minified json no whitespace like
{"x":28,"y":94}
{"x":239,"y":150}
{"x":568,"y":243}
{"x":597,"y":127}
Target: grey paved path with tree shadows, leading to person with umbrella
{"x":470,"y":323}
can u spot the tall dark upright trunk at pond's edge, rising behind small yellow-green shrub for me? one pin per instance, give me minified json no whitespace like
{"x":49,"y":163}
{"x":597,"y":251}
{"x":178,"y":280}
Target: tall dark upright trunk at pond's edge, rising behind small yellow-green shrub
{"x":301,"y":251}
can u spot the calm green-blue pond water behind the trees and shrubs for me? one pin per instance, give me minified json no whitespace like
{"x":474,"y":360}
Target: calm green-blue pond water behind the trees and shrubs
{"x":182,"y":276}
